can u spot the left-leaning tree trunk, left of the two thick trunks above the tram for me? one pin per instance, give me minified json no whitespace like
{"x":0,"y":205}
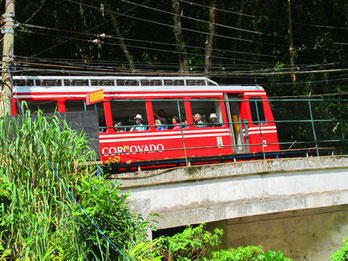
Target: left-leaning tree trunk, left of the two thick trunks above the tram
{"x":179,"y":37}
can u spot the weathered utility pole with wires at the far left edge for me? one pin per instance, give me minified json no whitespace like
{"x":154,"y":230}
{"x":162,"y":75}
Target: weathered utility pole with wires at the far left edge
{"x":8,"y":46}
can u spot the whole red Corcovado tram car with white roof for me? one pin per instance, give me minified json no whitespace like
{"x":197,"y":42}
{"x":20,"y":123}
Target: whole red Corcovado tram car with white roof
{"x":244,"y":120}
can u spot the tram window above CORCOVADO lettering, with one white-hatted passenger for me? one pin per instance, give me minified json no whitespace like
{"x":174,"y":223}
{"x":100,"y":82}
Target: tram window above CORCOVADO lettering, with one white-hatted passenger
{"x":124,"y":112}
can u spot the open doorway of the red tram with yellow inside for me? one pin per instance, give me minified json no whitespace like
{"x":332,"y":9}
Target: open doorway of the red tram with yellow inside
{"x":235,"y":126}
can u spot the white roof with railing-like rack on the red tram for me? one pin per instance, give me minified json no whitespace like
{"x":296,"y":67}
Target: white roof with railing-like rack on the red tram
{"x":127,"y":83}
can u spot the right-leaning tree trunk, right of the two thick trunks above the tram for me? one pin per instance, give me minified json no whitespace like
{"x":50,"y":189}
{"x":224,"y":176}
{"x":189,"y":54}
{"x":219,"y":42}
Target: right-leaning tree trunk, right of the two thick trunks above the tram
{"x":210,"y":37}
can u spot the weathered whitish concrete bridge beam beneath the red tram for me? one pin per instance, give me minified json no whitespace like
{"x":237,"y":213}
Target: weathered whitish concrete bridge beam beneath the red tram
{"x":242,"y":190}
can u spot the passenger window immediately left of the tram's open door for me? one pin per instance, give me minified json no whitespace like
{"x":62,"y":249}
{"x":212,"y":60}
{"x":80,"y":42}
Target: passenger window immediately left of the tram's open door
{"x":206,"y":108}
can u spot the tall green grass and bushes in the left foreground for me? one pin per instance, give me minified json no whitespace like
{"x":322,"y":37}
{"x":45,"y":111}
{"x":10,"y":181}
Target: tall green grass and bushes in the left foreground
{"x":38,"y":219}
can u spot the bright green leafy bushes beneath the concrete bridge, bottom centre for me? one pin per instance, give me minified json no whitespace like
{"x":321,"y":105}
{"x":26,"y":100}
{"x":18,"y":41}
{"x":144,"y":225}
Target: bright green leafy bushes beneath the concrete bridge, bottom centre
{"x":199,"y":244}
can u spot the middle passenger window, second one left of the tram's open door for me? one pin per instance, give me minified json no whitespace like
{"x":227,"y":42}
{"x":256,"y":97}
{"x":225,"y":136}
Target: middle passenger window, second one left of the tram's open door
{"x":165,"y":111}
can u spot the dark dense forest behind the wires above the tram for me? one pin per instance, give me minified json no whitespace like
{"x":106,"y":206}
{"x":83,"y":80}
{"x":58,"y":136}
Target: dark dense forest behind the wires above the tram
{"x":231,"y":41}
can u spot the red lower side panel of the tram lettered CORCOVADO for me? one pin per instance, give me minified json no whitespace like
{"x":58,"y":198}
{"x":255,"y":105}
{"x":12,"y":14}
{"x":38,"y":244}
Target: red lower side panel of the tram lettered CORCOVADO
{"x":166,"y":144}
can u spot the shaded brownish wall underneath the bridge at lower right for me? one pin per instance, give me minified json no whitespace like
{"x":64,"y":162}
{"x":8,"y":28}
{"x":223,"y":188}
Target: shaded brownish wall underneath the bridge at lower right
{"x":314,"y":234}
